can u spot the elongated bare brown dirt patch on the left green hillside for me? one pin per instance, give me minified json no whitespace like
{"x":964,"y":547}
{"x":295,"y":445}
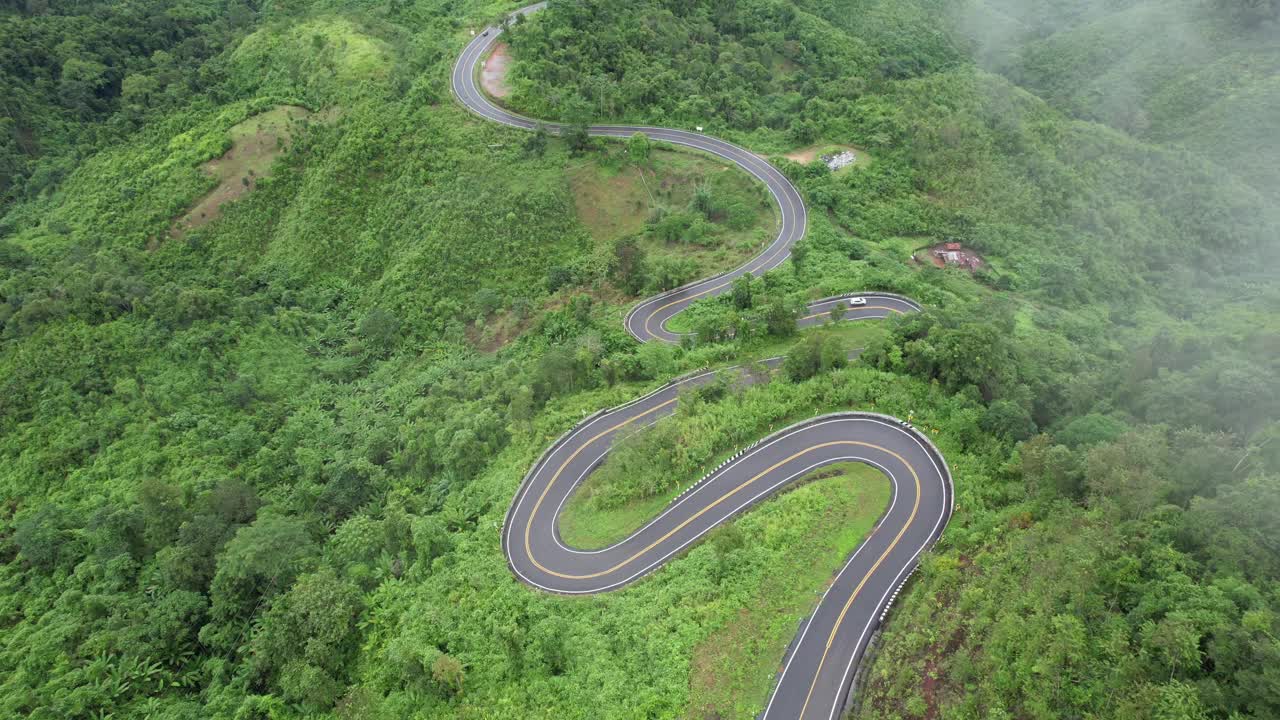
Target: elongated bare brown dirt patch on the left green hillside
{"x":257,"y":144}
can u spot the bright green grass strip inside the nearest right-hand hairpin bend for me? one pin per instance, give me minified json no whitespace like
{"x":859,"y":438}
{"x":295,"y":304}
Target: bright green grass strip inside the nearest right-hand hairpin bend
{"x":734,"y":668}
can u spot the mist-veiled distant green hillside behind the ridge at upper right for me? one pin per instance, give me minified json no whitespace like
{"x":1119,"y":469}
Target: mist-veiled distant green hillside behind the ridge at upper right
{"x":1204,"y":75}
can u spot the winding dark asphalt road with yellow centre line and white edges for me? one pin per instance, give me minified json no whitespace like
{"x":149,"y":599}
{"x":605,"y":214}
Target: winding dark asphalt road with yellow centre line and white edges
{"x":819,"y":669}
